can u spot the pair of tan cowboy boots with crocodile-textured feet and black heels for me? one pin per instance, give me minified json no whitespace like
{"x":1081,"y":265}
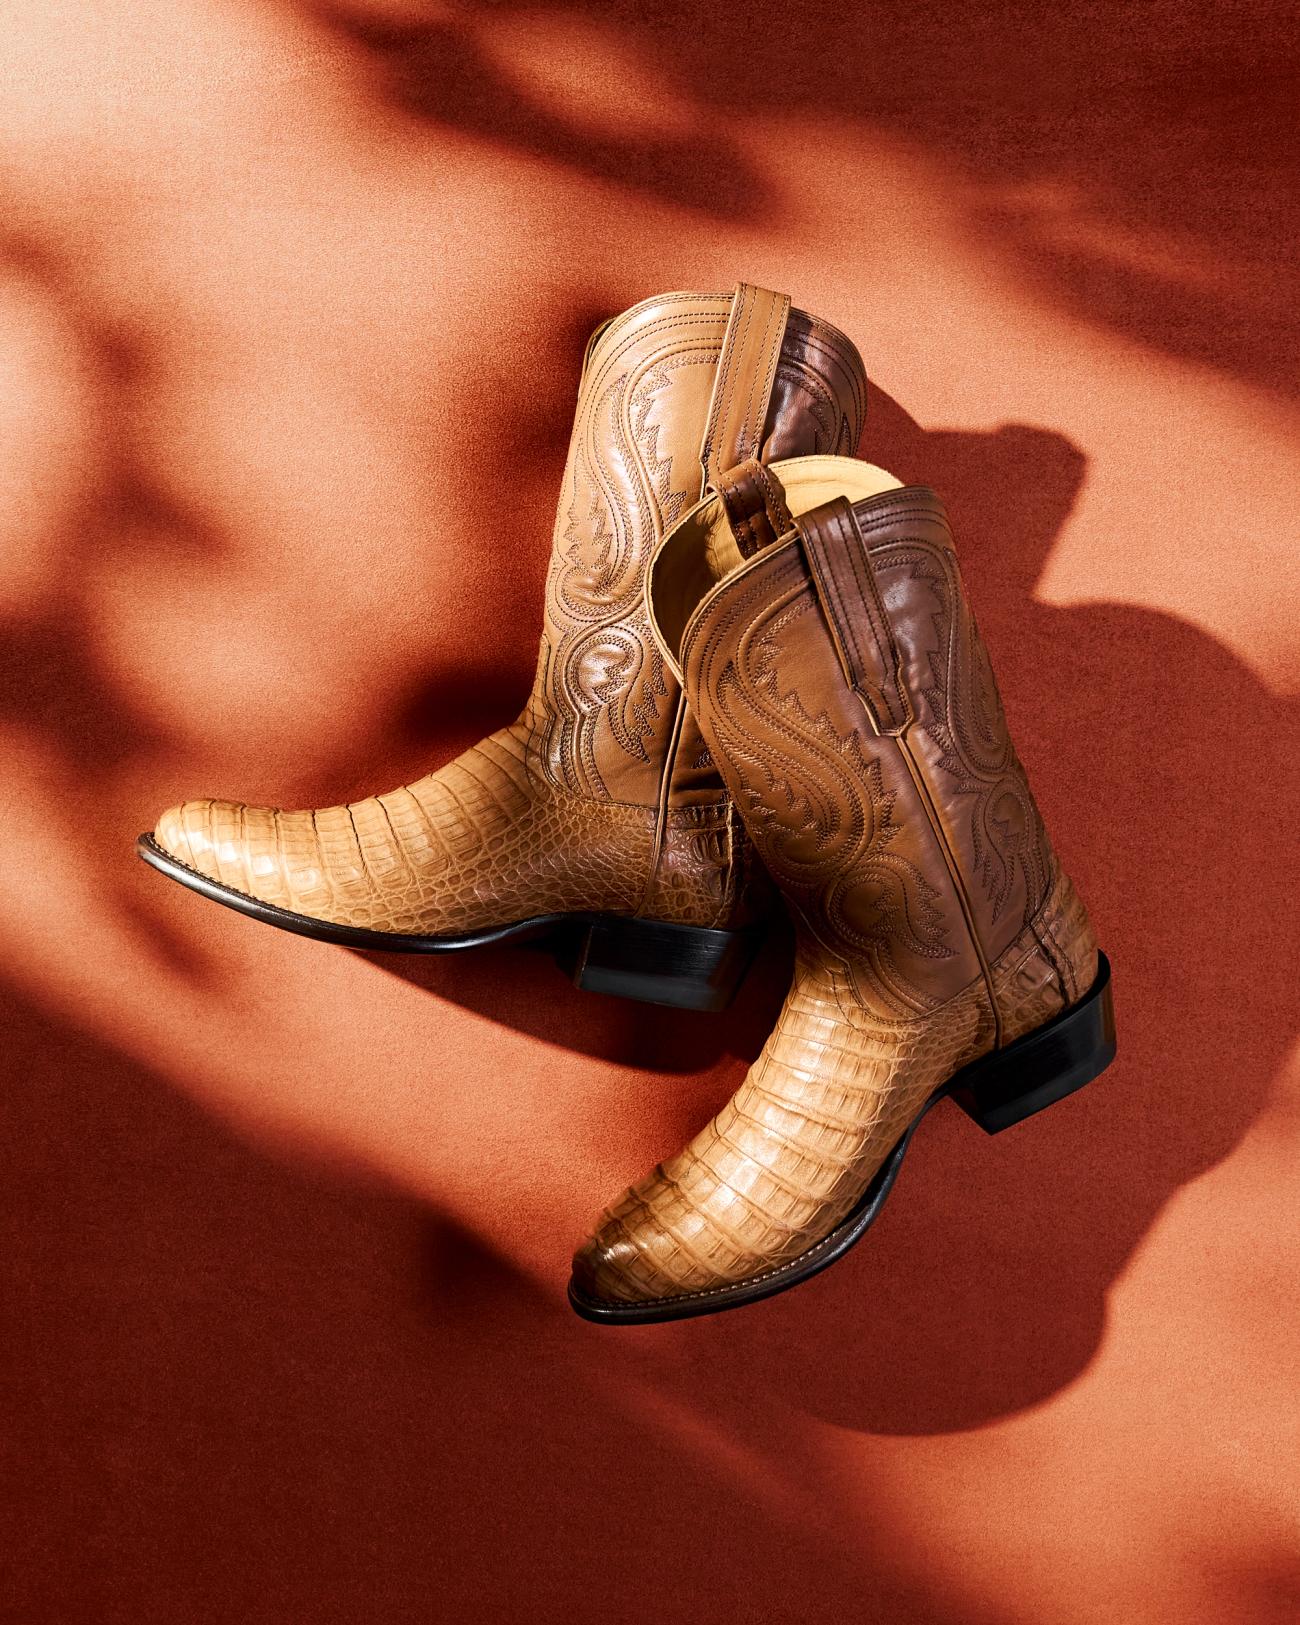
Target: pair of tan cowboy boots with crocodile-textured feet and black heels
{"x":758,"y":667}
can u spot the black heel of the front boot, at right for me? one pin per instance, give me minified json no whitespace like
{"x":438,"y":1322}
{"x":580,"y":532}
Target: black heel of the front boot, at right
{"x":1046,"y":1065}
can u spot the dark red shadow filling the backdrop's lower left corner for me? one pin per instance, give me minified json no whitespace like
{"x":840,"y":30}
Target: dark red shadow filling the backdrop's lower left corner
{"x":275,"y":1376}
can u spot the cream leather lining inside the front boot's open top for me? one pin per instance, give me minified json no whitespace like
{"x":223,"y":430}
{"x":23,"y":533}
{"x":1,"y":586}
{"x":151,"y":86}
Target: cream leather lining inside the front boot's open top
{"x":701,"y":552}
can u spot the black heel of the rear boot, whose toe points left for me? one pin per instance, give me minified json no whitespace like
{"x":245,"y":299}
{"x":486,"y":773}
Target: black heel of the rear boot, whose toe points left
{"x":690,"y":968}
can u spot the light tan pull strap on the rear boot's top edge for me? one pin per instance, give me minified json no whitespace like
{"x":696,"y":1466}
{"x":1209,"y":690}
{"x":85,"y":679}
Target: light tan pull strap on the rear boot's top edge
{"x":743,"y":383}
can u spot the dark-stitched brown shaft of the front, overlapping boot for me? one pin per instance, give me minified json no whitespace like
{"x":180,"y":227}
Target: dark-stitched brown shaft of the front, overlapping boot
{"x":852,"y":708}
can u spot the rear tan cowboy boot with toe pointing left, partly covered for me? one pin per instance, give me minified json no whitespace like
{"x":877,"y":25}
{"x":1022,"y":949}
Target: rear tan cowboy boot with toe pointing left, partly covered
{"x":597,"y":818}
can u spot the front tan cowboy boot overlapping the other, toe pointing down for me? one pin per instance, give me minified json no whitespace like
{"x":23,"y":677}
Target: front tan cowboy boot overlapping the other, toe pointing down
{"x":849,"y":701}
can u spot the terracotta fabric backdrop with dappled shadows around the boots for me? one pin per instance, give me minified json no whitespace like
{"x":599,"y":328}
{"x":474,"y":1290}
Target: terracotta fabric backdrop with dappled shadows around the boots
{"x":292,"y":318}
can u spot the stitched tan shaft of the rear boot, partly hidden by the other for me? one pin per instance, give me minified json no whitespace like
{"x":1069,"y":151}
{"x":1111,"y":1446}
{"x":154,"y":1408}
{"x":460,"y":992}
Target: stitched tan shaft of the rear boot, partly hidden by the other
{"x":674,"y":392}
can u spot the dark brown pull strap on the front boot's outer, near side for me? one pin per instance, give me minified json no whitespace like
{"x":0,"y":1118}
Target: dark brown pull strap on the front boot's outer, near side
{"x":836,"y":552}
